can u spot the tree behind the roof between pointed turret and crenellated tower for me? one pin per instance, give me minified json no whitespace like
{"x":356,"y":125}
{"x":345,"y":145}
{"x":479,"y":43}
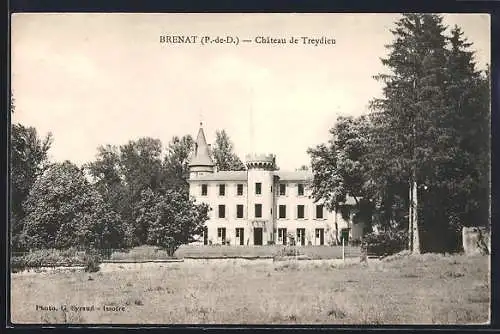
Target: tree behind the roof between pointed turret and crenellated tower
{"x":224,"y":156}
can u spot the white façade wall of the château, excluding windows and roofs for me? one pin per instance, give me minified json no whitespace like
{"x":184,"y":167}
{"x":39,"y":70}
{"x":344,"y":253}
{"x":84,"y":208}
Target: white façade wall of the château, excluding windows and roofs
{"x":310,"y":223}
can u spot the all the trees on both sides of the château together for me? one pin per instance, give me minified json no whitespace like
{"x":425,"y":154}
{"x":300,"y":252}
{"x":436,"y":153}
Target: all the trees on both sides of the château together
{"x":430,"y":127}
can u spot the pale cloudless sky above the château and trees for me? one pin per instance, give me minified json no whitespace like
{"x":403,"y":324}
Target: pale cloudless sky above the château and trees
{"x":97,"y":79}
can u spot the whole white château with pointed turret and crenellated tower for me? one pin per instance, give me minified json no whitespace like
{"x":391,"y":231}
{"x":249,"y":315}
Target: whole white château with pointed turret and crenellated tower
{"x":263,"y":205}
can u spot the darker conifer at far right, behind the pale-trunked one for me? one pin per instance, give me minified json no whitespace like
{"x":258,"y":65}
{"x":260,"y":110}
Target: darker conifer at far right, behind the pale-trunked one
{"x":461,"y":195}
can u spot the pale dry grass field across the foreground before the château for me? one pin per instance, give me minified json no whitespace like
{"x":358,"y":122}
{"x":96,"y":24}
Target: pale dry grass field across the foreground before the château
{"x":426,"y":289}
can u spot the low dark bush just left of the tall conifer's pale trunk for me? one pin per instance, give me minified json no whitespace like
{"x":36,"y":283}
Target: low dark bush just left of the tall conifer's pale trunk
{"x":384,"y":243}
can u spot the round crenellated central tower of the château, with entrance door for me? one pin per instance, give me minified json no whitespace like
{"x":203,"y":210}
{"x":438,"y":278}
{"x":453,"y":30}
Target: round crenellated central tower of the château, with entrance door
{"x":261,"y":199}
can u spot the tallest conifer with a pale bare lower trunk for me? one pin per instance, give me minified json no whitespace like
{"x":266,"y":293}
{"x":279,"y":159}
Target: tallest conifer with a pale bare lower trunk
{"x":413,"y":106}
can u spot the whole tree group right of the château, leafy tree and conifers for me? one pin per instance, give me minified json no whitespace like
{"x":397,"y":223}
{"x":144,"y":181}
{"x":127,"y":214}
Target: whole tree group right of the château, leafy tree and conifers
{"x":431,"y":127}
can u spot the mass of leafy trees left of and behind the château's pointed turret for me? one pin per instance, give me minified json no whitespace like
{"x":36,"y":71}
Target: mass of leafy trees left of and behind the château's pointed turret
{"x":129,"y":195}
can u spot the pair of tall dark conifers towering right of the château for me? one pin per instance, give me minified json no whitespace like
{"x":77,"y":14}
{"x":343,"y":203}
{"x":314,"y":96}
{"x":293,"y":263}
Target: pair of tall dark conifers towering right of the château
{"x":426,"y":128}
